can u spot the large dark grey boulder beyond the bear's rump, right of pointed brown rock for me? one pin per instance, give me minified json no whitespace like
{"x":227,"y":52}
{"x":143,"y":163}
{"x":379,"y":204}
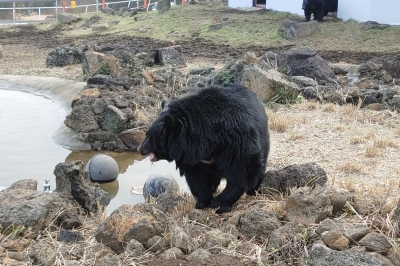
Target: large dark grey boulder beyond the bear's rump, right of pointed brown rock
{"x":304,"y":61}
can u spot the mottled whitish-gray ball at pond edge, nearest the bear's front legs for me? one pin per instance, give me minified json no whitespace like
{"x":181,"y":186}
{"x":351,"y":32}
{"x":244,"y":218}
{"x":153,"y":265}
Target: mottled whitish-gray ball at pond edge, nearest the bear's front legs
{"x":159,"y":183}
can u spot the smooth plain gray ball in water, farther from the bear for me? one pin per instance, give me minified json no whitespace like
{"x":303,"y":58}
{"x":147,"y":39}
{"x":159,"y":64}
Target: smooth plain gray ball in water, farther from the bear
{"x":102,"y":168}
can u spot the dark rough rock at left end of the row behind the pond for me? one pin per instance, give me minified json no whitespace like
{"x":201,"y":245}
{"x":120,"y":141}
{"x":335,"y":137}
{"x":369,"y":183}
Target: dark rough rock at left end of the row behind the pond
{"x":65,"y":55}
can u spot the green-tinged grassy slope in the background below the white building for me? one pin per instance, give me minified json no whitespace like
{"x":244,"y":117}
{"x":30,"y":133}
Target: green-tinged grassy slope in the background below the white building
{"x":250,"y":29}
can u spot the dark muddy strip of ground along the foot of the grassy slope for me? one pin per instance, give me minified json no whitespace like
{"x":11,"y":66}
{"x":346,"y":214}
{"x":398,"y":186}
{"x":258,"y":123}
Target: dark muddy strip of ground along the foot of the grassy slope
{"x":192,"y":48}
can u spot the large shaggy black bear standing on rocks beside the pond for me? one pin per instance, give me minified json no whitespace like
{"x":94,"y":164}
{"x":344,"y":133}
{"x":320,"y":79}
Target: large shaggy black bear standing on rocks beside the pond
{"x":214,"y":133}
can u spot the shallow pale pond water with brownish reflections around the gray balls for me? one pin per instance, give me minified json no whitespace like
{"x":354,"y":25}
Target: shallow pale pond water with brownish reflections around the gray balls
{"x":28,"y":151}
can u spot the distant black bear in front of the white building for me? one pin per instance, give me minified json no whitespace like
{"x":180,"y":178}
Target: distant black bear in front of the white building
{"x":319,"y":8}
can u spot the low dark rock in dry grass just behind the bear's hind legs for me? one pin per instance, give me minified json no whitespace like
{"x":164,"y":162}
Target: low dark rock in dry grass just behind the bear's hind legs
{"x":296,"y":175}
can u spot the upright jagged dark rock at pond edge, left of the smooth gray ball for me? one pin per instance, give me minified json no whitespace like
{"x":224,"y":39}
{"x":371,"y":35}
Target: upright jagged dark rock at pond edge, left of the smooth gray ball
{"x":72,"y":179}
